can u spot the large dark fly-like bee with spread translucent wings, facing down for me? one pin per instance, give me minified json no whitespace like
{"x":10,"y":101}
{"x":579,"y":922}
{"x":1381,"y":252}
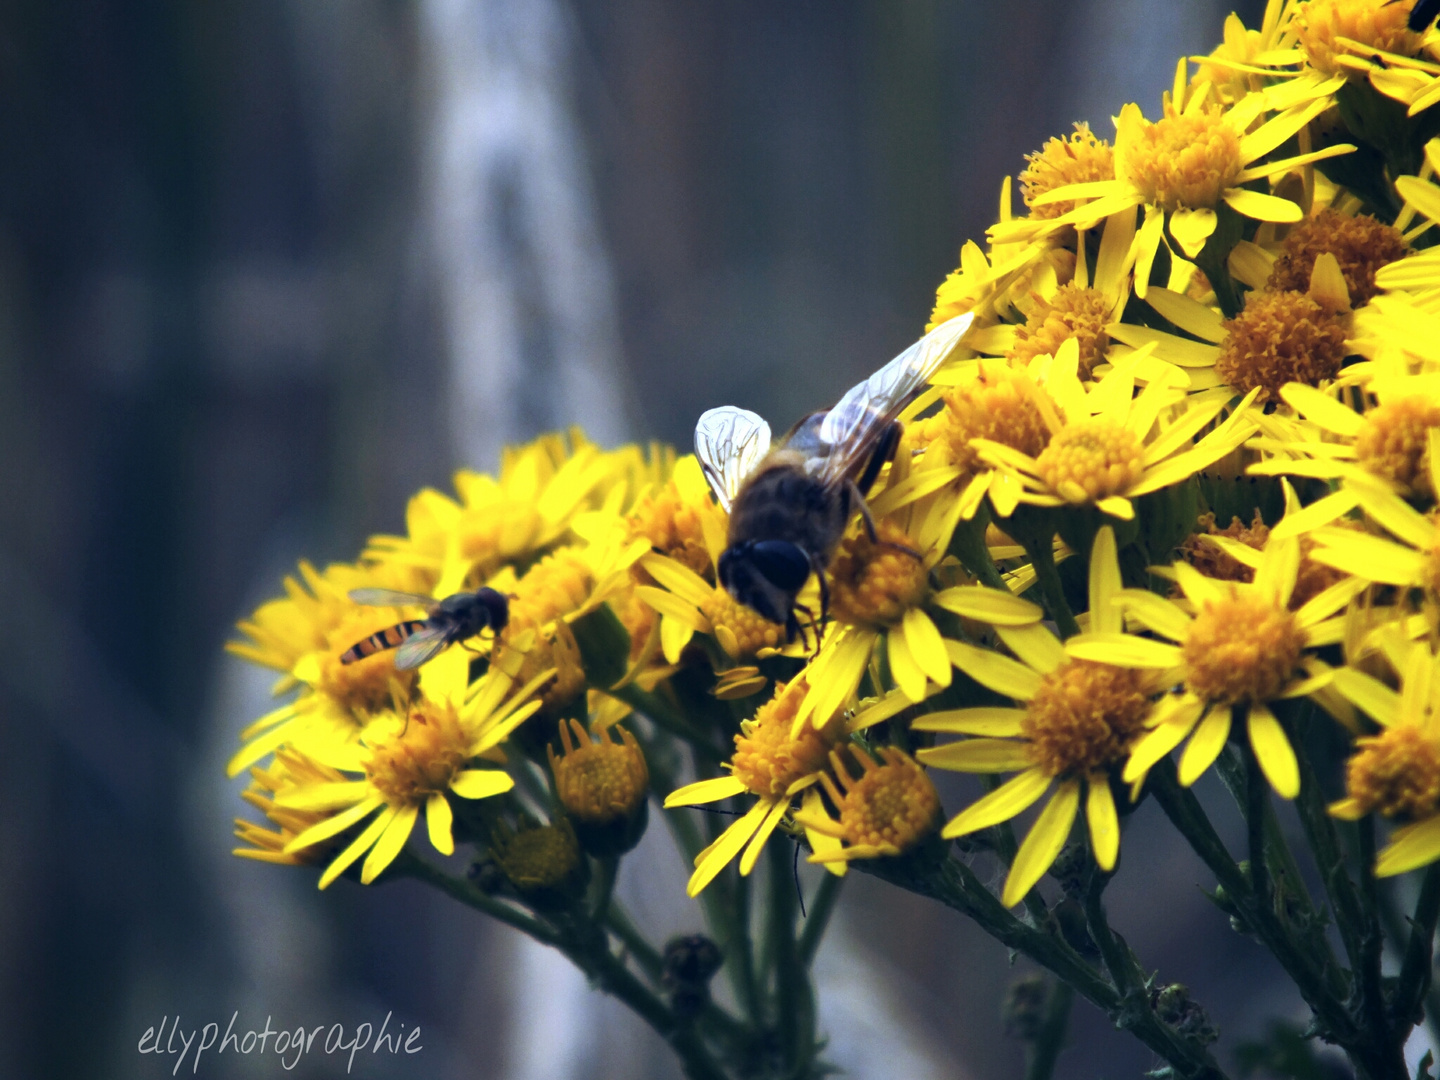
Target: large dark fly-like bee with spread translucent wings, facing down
{"x":790,"y":503}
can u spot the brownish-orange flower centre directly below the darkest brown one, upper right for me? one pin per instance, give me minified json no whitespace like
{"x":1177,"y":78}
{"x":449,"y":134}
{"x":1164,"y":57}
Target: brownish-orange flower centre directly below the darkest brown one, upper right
{"x":1281,"y":338}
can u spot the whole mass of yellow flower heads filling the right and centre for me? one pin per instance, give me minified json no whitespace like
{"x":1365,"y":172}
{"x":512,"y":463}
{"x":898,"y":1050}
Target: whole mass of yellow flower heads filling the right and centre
{"x":1169,"y":506}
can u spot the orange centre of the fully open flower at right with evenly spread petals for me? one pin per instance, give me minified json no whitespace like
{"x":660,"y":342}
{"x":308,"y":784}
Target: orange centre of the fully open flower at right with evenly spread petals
{"x":1242,"y":649}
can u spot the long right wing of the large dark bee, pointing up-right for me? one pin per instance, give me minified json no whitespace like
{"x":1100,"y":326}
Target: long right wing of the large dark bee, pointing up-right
{"x":852,"y":430}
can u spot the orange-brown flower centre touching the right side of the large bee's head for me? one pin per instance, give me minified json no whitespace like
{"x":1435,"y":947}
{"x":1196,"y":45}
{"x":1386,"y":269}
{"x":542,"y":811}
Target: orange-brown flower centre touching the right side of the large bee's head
{"x":876,"y":582}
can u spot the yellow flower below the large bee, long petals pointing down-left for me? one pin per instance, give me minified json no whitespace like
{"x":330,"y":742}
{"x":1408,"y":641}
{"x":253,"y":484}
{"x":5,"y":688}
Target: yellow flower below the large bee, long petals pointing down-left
{"x":775,"y":764}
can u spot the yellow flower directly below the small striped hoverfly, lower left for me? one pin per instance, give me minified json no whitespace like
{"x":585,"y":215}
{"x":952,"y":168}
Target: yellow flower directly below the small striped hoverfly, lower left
{"x":414,"y":760}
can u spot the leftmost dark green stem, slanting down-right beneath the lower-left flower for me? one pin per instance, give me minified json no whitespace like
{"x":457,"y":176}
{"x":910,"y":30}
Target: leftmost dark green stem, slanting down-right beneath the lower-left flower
{"x":591,"y":954}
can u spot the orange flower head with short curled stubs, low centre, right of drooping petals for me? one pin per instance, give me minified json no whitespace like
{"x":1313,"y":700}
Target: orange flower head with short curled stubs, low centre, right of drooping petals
{"x":892,"y":807}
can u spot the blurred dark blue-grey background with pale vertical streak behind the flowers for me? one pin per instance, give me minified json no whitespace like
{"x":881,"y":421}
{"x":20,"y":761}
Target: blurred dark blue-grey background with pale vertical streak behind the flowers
{"x":269,"y":269}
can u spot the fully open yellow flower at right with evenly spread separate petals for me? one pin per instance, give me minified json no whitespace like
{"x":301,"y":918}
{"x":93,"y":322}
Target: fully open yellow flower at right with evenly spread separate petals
{"x":1241,"y":650}
